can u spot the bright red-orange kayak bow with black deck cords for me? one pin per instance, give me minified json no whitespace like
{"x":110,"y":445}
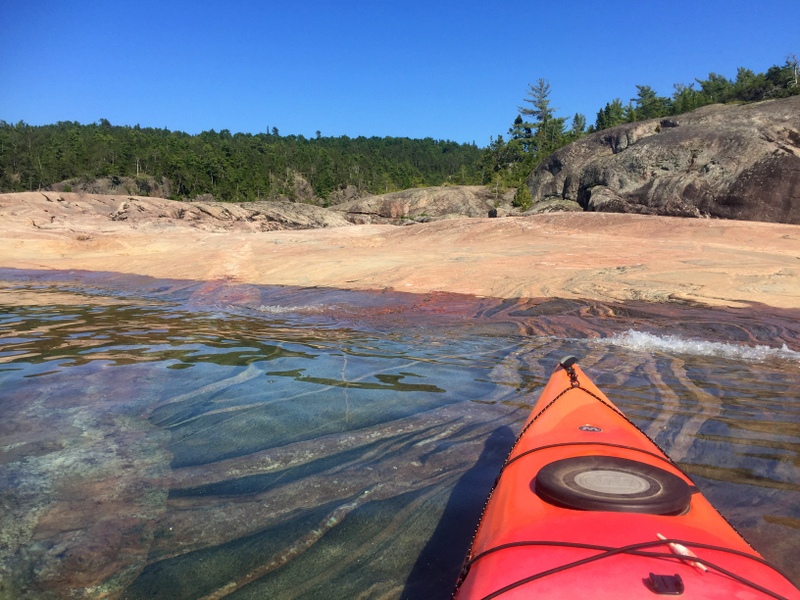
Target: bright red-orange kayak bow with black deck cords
{"x":587,"y":506}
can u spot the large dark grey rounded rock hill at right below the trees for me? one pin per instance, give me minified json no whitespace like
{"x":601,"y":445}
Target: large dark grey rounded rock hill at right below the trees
{"x":723,"y":161}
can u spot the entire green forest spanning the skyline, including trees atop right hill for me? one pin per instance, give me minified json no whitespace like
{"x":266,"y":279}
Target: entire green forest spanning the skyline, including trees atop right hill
{"x":266,"y":166}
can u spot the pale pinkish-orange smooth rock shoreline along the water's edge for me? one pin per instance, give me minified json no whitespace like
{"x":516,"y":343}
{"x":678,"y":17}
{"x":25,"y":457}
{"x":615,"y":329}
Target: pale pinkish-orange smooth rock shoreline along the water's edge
{"x":602,"y":256}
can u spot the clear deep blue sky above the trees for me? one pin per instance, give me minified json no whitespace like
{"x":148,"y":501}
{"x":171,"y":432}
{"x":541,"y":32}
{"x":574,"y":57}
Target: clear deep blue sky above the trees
{"x":446,"y":69}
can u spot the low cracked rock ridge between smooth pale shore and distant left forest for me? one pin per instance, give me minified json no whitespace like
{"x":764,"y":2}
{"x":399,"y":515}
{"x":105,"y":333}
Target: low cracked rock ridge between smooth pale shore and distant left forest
{"x":54,"y":209}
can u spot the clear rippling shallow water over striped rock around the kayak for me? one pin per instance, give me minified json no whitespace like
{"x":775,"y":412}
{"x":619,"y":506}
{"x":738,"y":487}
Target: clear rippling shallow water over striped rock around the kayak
{"x":163,"y":439}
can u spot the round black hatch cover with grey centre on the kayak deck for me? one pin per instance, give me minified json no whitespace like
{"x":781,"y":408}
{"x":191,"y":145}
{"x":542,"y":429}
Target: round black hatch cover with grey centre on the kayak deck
{"x":608,"y":483}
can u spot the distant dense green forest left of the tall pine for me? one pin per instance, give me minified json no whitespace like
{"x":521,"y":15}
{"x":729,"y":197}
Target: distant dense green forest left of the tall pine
{"x":231,"y":167}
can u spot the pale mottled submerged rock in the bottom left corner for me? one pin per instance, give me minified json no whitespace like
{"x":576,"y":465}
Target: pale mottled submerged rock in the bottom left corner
{"x":81,"y":491}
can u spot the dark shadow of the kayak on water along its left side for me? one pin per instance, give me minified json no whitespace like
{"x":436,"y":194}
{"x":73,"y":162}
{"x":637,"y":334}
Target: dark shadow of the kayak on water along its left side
{"x":437,"y":567}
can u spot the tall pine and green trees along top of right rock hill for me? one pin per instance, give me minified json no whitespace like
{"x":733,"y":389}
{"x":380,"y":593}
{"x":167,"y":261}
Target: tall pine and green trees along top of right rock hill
{"x":537,"y":132}
